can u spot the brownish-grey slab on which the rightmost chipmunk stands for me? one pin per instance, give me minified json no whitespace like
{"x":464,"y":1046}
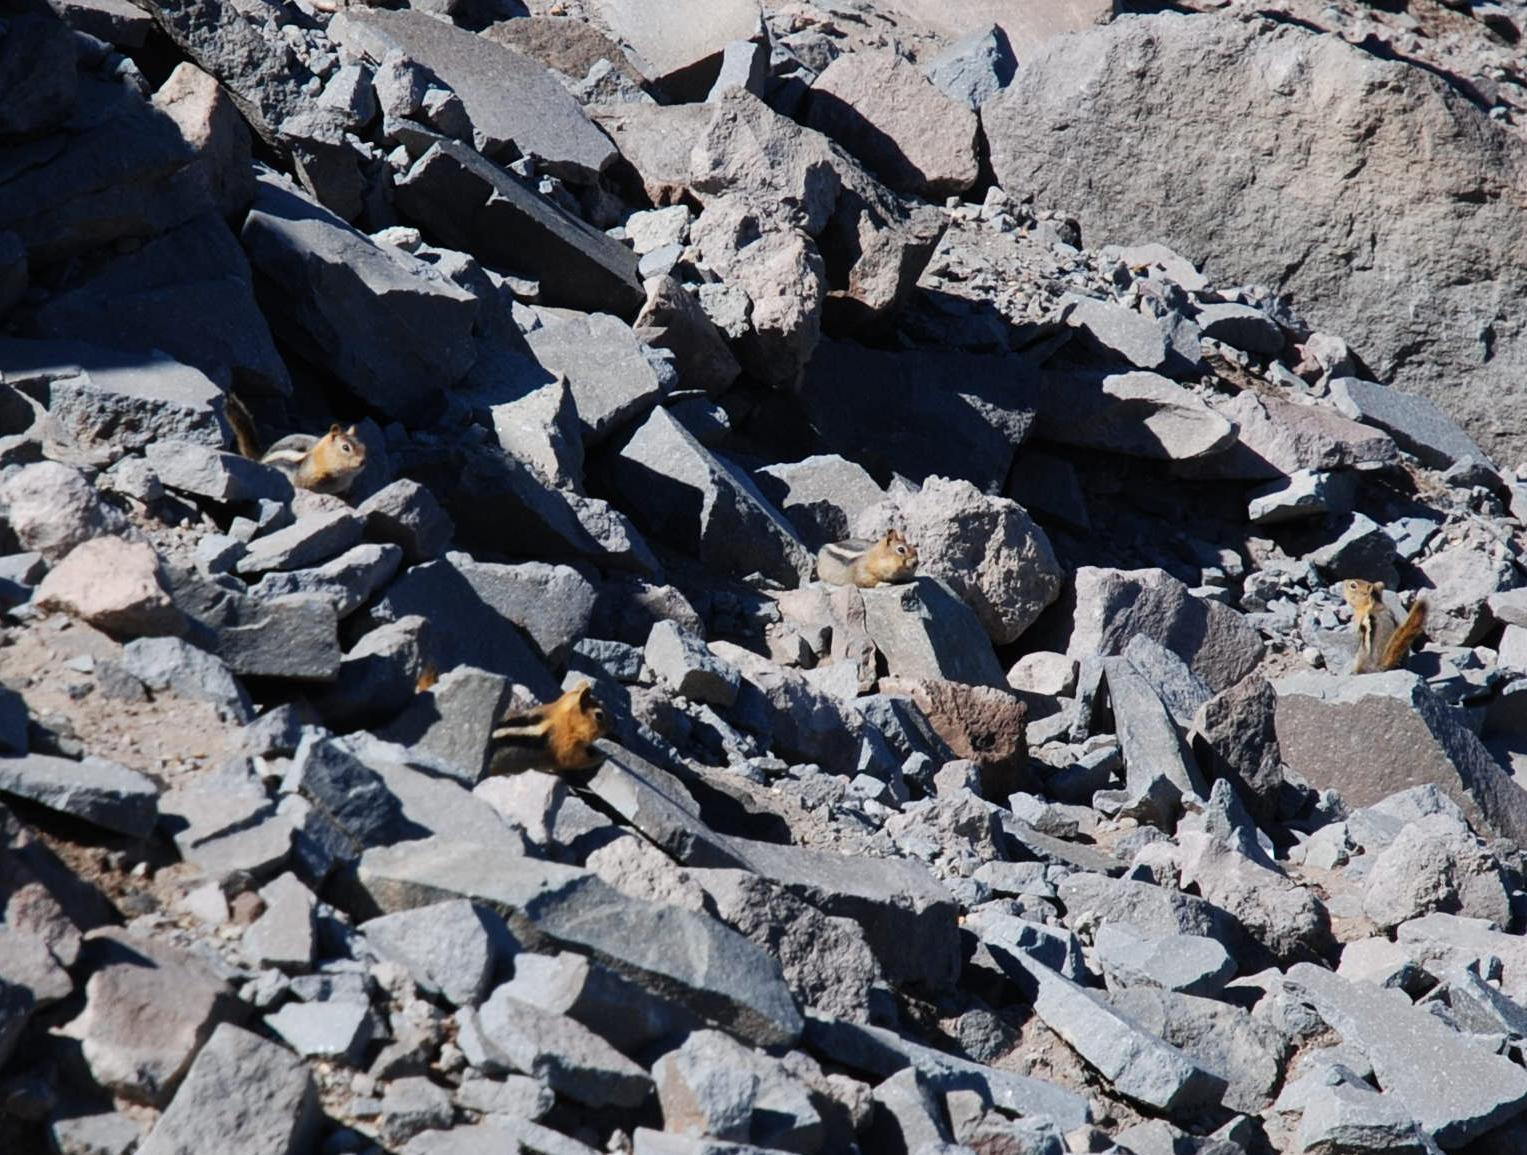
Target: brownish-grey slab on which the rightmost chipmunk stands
{"x":1369,"y":736}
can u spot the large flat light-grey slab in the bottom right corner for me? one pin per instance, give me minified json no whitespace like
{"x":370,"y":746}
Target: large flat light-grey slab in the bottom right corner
{"x":1451,"y":1085}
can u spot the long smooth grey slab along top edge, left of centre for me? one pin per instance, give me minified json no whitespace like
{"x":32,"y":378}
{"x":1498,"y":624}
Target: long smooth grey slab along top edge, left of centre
{"x":509,"y":97}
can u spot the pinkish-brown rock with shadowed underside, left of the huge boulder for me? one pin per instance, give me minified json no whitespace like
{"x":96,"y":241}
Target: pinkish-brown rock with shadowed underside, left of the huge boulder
{"x":889,"y":115}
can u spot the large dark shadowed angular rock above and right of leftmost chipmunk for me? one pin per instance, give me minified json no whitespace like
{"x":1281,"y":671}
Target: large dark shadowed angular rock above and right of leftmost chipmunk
{"x":392,"y":331}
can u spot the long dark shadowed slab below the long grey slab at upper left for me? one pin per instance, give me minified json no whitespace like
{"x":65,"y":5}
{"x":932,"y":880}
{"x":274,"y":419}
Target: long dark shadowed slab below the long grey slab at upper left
{"x":474,"y":205}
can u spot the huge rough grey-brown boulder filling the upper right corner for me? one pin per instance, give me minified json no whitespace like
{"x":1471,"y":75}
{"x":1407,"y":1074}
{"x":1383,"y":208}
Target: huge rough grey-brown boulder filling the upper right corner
{"x":1308,"y":183}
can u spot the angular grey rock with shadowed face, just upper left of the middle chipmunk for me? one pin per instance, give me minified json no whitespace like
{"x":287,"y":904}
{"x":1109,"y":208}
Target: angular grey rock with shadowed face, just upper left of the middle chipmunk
{"x":699,"y":502}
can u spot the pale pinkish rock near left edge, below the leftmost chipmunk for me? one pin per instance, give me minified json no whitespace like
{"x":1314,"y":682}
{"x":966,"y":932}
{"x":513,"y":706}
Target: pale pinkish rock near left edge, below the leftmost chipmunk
{"x":112,"y":584}
